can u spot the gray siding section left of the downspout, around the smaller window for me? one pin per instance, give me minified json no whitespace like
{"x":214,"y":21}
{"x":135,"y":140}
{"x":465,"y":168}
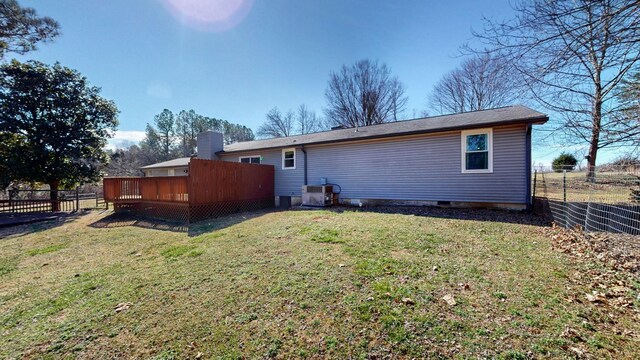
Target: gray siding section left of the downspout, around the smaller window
{"x":288,"y":182}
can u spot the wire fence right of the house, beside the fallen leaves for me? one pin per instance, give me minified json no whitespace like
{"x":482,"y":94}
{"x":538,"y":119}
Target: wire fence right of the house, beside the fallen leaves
{"x":605,"y":199}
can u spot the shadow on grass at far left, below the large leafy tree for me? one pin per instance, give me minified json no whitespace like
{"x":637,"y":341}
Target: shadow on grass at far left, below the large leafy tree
{"x":29,"y":223}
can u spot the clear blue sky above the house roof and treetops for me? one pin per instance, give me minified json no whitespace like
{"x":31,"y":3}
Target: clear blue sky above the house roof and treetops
{"x":147,"y":55}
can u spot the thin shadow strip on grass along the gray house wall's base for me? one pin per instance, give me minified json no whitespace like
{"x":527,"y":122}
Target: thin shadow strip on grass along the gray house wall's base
{"x":489,"y":215}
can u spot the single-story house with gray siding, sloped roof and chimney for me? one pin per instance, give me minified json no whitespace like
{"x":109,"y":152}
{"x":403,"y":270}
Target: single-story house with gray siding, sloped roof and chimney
{"x":479,"y":158}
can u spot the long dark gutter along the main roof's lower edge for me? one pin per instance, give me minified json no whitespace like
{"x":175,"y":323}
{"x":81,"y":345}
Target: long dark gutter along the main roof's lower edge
{"x":528,"y":122}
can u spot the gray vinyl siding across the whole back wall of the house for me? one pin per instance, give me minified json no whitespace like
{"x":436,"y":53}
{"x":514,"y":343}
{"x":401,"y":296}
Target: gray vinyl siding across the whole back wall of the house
{"x":424,"y":167}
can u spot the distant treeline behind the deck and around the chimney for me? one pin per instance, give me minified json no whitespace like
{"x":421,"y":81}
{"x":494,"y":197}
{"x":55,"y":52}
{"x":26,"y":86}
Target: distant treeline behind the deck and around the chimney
{"x":172,"y":136}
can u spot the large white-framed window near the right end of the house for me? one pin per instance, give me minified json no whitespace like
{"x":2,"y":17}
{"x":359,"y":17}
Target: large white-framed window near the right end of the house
{"x":477,"y":151}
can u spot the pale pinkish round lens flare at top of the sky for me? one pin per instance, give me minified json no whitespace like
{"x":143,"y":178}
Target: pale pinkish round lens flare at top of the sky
{"x":210,"y":15}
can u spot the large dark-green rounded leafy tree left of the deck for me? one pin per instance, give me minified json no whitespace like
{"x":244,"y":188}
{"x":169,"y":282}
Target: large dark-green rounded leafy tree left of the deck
{"x":57,"y":125}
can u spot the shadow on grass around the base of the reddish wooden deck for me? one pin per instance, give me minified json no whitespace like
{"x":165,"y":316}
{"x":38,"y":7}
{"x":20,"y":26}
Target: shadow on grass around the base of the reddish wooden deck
{"x":118,"y":220}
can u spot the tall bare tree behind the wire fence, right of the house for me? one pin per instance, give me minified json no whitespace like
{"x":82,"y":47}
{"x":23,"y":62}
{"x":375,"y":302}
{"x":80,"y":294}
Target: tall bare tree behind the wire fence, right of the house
{"x":572,"y":55}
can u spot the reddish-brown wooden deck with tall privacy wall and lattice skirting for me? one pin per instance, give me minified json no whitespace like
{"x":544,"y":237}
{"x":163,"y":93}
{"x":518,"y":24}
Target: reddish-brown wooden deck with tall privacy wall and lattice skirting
{"x":211,"y":189}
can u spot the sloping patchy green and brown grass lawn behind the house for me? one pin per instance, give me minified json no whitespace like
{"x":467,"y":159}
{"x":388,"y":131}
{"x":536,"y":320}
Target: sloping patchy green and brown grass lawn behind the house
{"x":298,"y":284}
